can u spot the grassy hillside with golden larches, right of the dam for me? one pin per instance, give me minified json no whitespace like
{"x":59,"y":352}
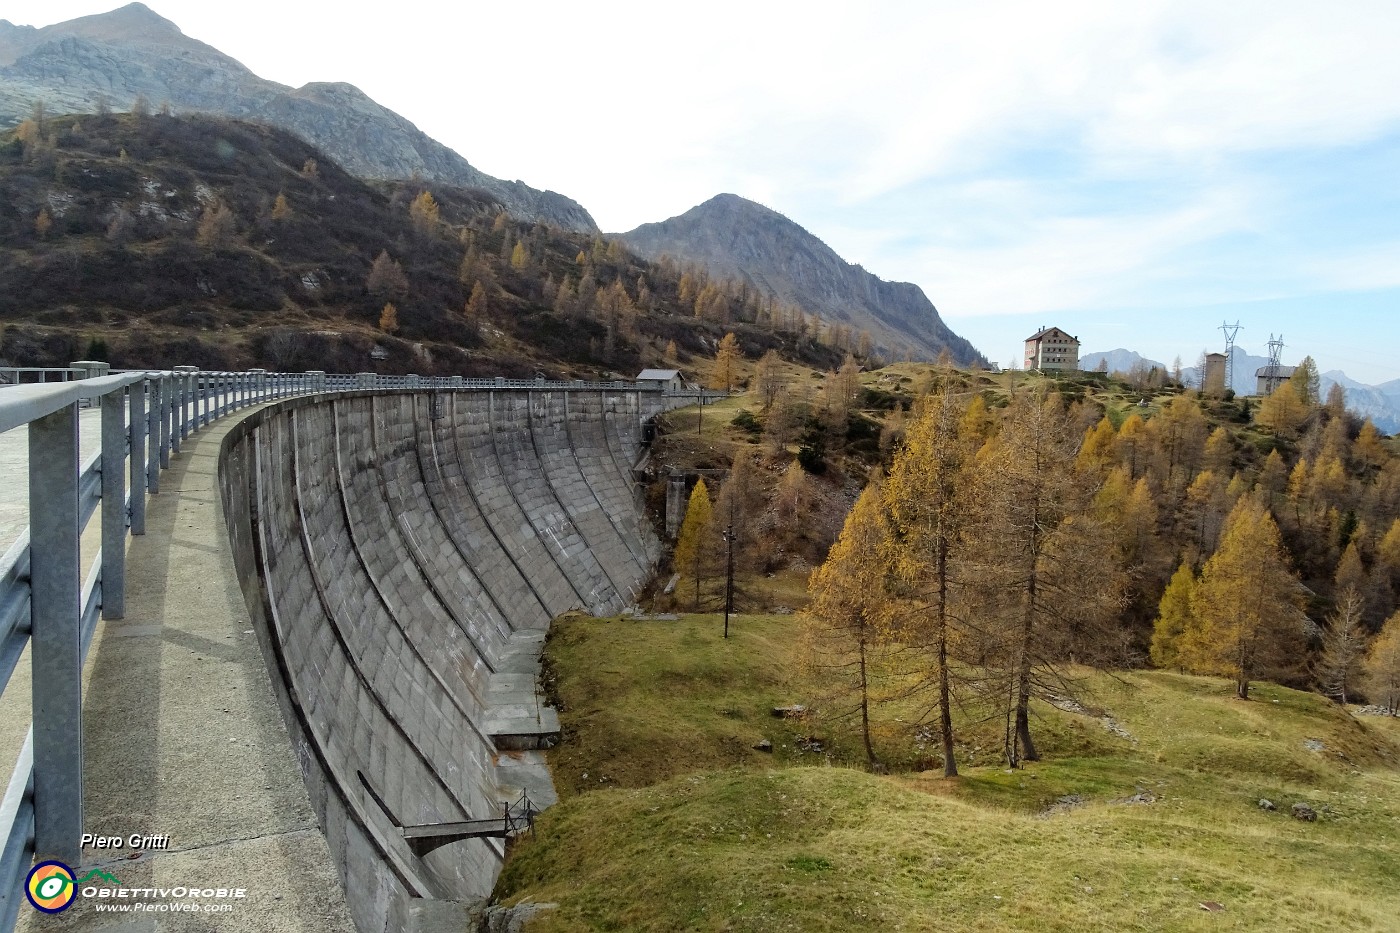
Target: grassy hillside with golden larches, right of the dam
{"x":1091,"y":794}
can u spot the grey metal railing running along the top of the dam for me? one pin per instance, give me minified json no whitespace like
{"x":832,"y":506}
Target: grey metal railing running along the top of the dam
{"x":51,"y":607}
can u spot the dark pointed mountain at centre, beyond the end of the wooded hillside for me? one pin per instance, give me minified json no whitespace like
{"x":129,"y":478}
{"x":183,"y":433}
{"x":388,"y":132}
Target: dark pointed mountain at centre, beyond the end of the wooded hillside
{"x":734,"y":237}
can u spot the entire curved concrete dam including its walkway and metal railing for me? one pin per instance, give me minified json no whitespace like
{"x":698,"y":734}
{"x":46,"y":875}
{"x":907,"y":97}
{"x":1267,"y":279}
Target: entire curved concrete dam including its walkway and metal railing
{"x":316,"y":666}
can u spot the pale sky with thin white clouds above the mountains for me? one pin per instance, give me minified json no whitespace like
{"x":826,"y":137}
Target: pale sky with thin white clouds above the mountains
{"x":1133,"y":173}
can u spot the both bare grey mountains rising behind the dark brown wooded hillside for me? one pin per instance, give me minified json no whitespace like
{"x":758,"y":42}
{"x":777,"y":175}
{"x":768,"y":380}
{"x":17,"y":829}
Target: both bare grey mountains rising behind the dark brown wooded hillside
{"x":118,"y":58}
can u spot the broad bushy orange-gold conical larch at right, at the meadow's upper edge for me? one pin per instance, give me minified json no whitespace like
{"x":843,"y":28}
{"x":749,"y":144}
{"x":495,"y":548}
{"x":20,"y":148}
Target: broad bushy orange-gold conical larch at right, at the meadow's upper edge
{"x":1248,"y":620}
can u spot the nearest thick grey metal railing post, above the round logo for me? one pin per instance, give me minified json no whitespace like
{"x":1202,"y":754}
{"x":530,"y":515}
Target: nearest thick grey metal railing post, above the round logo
{"x":57,"y":656}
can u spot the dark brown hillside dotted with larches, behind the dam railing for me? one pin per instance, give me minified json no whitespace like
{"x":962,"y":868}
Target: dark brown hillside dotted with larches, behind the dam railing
{"x":155,"y":240}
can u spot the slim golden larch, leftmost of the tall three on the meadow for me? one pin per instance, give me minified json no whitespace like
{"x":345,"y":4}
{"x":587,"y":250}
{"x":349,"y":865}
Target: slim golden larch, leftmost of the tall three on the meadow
{"x":849,"y":603}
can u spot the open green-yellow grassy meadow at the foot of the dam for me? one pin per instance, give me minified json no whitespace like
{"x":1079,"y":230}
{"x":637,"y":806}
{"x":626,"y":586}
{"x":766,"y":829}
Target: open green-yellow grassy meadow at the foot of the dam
{"x":680,"y":824}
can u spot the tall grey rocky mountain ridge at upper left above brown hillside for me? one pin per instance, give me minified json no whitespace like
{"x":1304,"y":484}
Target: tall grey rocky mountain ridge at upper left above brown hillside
{"x":118,"y":57}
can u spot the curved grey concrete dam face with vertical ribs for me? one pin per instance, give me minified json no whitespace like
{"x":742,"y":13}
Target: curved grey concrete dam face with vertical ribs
{"x":402,"y":555}
